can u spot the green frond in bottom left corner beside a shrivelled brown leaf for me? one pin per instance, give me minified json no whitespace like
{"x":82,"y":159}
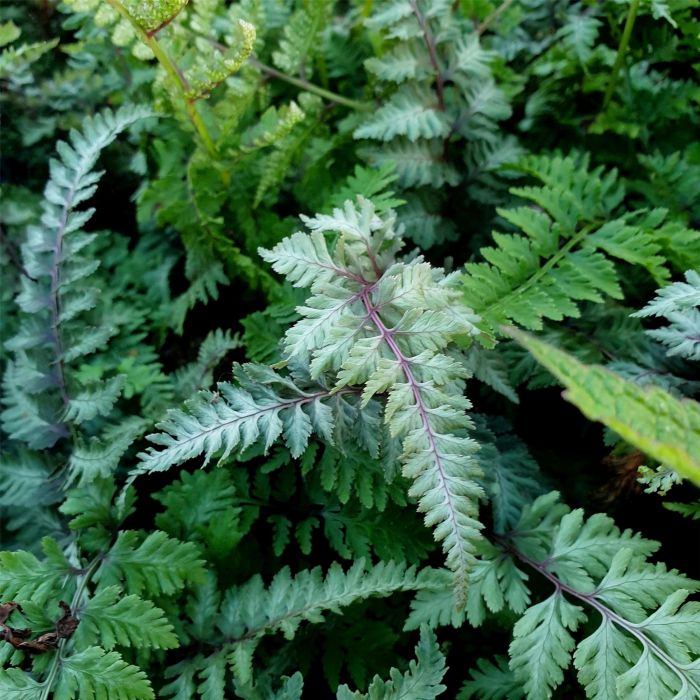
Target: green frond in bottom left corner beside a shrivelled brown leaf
{"x":84,"y":664}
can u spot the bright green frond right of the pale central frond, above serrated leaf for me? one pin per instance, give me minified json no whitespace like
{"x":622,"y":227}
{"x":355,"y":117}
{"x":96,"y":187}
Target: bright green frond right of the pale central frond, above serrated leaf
{"x":566,"y":255}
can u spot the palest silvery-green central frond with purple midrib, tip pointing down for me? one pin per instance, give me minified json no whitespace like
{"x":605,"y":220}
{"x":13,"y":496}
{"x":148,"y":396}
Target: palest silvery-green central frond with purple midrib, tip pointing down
{"x":385,"y":326}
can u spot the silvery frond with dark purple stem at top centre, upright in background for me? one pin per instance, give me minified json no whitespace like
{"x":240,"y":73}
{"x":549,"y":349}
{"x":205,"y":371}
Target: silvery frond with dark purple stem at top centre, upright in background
{"x":439,"y":96}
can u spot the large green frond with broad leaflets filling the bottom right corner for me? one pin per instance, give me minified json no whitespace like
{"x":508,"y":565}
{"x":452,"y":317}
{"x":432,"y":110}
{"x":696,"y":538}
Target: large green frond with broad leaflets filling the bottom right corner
{"x":646,"y":644}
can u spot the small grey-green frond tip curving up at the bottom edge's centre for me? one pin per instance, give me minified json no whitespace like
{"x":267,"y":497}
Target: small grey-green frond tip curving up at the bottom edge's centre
{"x":422,"y":681}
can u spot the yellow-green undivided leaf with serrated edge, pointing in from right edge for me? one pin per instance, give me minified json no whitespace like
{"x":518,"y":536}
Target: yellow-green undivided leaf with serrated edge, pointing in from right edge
{"x":630,"y":410}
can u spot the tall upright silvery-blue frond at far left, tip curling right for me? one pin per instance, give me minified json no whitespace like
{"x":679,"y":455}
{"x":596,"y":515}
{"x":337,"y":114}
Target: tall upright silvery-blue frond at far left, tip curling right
{"x":56,"y":297}
